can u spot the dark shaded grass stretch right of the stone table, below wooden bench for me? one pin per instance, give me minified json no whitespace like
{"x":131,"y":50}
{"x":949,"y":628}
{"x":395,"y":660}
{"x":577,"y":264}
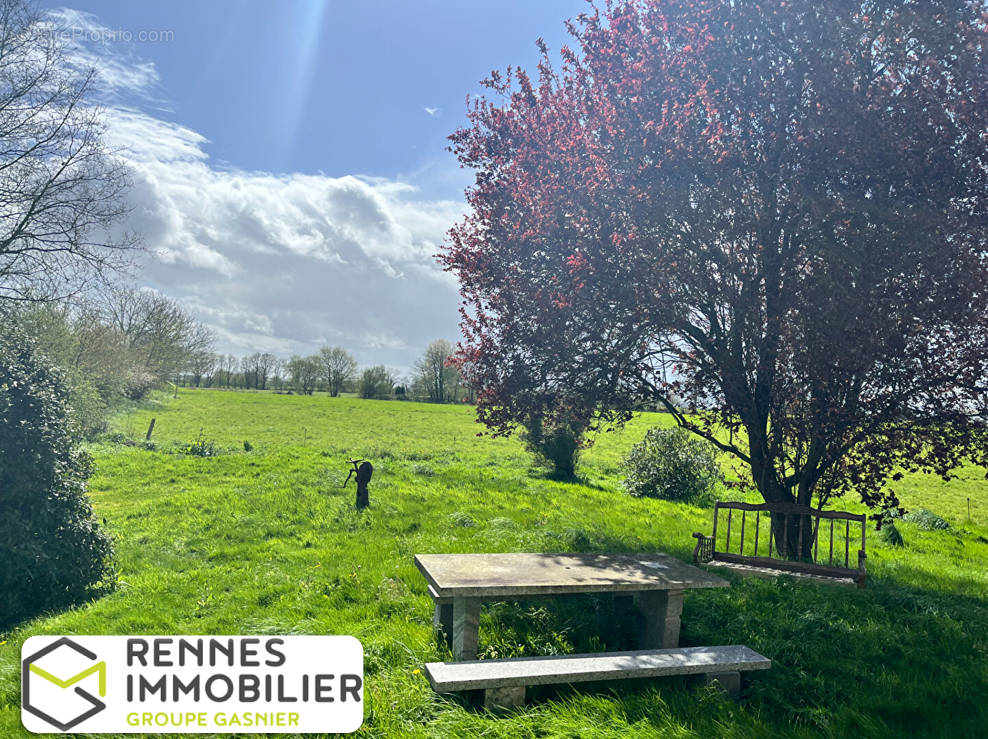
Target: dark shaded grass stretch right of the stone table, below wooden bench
{"x":888,"y":652}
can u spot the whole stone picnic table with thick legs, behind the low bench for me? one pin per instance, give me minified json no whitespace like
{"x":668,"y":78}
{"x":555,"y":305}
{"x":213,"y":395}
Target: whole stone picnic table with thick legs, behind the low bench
{"x":459,"y":583}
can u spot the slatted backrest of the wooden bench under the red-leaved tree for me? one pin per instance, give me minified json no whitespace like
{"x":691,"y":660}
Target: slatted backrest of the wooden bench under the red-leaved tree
{"x":737,"y":548}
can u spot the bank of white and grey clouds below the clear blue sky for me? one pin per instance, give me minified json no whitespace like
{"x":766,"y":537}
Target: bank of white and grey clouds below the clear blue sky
{"x":274,"y":262}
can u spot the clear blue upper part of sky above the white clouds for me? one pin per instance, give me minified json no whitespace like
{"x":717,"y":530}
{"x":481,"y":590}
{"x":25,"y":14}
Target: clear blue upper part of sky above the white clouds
{"x":334,"y":87}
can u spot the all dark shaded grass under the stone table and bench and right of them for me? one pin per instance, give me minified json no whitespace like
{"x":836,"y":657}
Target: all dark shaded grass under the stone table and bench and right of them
{"x":890,"y":659}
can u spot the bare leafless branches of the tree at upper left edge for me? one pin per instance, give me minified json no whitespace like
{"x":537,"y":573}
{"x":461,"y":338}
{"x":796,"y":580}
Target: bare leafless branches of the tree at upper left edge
{"x":60,"y":187}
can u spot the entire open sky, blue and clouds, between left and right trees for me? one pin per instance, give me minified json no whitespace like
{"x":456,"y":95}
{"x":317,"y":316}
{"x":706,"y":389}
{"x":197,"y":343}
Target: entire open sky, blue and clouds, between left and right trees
{"x":289,"y":165}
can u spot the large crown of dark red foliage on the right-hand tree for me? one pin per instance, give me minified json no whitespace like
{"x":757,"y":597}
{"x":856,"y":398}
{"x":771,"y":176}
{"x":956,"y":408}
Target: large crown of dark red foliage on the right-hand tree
{"x":785,"y":201}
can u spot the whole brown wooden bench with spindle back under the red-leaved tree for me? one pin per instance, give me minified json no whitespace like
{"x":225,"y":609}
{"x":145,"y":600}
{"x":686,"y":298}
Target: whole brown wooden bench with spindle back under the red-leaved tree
{"x":796,"y":552}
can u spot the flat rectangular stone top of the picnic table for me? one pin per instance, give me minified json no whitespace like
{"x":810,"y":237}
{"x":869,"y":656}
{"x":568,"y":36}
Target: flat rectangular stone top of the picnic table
{"x":518,"y":574}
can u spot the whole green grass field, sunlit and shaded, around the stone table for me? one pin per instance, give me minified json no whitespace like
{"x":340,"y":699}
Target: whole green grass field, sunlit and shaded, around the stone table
{"x":267,"y":542}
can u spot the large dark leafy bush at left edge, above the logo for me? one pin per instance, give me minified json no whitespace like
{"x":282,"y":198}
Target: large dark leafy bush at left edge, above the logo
{"x":52,"y":551}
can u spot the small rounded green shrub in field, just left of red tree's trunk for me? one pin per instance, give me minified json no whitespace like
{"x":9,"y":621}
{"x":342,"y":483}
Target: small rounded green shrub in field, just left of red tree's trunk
{"x":673,"y":464}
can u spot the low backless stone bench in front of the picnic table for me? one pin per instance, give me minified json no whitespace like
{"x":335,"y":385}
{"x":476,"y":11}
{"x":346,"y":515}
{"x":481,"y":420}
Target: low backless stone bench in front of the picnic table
{"x":504,"y":680}
